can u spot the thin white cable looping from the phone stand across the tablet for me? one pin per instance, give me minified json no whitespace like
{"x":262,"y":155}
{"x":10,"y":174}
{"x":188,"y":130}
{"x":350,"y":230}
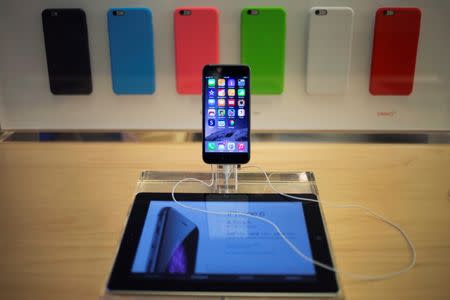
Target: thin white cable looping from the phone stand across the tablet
{"x":291,"y":245}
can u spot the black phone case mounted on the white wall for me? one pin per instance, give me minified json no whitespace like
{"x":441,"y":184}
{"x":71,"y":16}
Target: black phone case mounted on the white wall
{"x":67,"y":51}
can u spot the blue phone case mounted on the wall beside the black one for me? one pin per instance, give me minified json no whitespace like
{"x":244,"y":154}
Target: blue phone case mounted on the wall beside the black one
{"x":131,"y":50}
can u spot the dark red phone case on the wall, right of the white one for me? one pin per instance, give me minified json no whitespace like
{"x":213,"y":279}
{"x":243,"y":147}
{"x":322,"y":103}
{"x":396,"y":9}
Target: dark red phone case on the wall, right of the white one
{"x":394,"y":51}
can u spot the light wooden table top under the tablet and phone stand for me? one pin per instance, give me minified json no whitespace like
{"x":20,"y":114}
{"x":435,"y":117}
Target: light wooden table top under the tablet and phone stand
{"x":62,"y":208}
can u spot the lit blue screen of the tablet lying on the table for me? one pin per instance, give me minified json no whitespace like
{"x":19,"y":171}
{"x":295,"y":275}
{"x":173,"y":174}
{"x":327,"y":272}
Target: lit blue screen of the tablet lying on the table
{"x":178,"y":240}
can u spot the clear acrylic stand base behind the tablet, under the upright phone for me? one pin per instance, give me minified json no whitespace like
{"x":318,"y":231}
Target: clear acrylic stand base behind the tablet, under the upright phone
{"x":229,"y":179}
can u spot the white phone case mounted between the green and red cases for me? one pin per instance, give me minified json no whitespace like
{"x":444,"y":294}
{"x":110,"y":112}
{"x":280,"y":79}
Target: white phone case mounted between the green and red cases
{"x":329,"y":50}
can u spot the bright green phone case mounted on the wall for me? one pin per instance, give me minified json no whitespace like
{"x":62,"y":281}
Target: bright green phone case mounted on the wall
{"x":263,"y":37}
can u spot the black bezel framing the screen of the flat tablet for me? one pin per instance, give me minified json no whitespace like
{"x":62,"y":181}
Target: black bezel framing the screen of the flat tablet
{"x":122,"y":280}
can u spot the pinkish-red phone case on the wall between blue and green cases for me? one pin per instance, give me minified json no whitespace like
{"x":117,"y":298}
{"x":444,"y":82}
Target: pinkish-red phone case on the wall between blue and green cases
{"x":196,"y":45}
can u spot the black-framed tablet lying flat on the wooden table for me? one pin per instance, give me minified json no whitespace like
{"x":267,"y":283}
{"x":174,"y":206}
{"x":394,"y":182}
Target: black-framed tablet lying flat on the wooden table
{"x":168,"y":248}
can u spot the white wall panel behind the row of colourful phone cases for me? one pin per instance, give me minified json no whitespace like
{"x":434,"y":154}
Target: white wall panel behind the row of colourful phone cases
{"x":28,"y":104}
